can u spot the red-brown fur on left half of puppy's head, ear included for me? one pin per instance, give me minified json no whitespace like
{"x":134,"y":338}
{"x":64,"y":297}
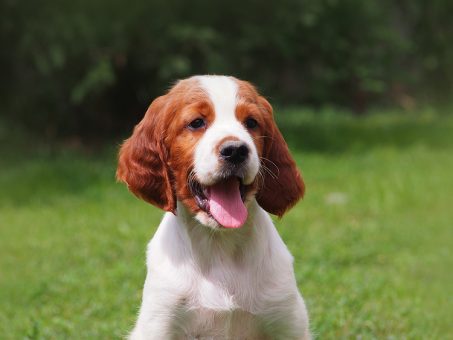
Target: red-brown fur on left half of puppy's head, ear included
{"x":155,"y":161}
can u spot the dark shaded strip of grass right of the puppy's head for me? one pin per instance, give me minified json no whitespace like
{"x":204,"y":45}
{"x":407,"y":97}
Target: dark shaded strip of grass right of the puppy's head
{"x":333,"y":133}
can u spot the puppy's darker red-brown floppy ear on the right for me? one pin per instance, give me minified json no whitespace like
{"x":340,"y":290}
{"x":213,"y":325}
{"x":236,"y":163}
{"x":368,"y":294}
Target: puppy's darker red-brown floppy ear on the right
{"x":283,"y":186}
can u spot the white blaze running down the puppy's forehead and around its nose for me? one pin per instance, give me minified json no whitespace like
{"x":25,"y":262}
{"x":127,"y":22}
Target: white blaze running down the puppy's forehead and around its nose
{"x":223,"y":93}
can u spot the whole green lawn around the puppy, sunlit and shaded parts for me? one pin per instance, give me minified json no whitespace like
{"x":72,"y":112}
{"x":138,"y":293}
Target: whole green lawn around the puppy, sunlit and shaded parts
{"x":372,"y":239}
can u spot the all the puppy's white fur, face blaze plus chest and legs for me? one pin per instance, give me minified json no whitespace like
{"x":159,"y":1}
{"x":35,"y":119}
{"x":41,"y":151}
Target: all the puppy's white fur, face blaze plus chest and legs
{"x":205,"y":283}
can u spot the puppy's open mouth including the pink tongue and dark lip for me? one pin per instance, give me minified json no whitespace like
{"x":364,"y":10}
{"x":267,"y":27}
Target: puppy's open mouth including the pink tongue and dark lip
{"x":223,"y":201}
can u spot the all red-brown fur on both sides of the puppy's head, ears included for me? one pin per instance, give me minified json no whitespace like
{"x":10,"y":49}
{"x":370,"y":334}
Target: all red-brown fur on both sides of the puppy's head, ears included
{"x":156,"y":161}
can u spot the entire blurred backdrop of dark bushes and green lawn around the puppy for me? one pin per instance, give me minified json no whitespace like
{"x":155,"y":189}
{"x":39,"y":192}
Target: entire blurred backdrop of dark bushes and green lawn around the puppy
{"x":362,"y":92}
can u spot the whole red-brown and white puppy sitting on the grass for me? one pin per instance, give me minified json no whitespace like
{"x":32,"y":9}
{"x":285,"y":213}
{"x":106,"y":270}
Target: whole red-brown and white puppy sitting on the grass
{"x":210,"y":154}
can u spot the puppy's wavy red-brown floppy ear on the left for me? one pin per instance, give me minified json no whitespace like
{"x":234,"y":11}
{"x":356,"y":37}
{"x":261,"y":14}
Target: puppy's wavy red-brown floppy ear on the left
{"x":142,"y":161}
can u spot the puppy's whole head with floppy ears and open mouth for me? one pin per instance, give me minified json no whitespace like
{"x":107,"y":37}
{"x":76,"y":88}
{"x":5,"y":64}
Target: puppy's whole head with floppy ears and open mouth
{"x":211,"y":143}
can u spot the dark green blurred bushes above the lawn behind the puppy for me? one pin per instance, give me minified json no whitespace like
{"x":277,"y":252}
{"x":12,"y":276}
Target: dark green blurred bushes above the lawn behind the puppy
{"x":92,"y":67}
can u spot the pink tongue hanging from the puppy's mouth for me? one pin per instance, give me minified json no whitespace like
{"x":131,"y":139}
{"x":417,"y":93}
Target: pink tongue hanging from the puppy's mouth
{"x":225,"y":204}
